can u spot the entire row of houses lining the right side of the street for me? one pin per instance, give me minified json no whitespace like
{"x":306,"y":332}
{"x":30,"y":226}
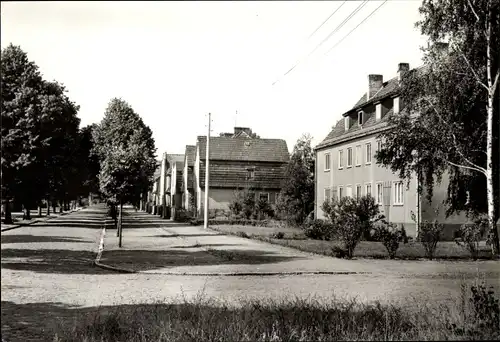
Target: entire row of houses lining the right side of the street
{"x":345,"y":166}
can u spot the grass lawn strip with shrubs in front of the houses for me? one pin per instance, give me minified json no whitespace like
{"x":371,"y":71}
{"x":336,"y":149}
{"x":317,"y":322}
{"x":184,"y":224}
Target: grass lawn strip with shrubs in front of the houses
{"x":295,"y":238}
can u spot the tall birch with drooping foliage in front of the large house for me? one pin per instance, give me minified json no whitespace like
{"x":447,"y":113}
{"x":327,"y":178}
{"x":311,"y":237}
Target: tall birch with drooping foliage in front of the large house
{"x":455,"y":99}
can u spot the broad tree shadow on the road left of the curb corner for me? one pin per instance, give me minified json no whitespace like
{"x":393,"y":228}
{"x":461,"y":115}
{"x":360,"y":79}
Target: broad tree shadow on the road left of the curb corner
{"x":58,"y":261}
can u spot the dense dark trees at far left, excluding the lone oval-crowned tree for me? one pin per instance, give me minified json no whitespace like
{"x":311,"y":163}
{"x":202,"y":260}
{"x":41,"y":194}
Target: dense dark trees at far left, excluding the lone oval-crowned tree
{"x":45,"y":156}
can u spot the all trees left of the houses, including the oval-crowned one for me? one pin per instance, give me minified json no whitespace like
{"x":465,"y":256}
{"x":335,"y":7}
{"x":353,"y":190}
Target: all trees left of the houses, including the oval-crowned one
{"x":46,"y":156}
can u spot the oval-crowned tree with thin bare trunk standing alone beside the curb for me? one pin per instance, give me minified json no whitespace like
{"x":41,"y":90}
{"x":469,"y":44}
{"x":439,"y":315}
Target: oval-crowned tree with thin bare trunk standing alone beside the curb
{"x":126,"y":152}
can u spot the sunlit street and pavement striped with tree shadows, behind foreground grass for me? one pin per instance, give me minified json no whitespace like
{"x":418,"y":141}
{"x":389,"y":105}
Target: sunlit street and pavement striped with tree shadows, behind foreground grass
{"x":48,"y":274}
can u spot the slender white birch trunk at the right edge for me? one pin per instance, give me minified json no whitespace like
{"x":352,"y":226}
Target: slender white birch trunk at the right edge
{"x":489,"y":140}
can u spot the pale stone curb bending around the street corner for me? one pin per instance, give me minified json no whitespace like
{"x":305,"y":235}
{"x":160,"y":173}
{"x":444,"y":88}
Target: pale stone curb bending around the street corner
{"x":214,"y":274}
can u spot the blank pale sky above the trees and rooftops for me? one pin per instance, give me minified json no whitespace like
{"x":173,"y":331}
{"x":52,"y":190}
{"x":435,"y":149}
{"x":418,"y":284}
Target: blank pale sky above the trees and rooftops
{"x":175,"y":62}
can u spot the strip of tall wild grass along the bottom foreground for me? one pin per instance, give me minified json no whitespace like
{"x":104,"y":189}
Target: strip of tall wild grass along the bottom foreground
{"x":298,"y":320}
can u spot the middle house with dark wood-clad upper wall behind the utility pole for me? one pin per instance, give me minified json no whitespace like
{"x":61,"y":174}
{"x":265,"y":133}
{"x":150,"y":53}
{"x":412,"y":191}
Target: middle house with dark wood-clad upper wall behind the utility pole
{"x":237,"y":161}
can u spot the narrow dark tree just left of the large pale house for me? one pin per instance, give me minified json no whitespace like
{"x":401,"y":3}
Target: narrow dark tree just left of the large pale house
{"x":296,"y":199}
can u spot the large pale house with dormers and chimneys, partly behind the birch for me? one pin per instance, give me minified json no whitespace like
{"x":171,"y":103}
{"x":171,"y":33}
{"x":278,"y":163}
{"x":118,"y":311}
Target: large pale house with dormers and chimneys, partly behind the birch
{"x":345,"y":163}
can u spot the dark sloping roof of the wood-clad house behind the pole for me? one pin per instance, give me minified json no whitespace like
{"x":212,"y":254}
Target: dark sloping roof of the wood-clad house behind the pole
{"x":264,"y":150}
